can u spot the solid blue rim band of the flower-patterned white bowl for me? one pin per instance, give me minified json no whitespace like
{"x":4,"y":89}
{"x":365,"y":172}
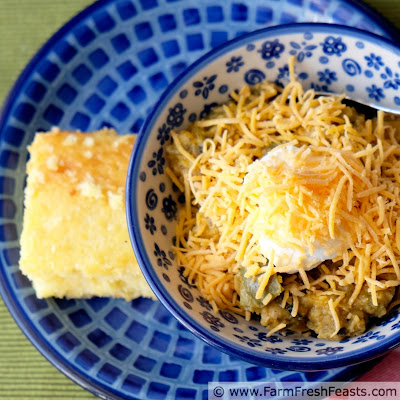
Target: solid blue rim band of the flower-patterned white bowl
{"x":132,"y":205}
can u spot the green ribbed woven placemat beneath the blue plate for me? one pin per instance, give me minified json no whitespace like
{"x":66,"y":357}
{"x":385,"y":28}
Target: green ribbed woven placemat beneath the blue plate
{"x":24,"y":26}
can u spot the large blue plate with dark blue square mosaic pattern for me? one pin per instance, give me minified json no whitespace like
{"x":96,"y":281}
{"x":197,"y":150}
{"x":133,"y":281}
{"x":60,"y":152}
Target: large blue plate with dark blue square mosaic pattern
{"x":107,"y":67}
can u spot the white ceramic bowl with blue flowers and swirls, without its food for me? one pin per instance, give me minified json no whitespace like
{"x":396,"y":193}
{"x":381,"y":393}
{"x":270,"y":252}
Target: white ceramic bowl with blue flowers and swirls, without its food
{"x":328,"y":57}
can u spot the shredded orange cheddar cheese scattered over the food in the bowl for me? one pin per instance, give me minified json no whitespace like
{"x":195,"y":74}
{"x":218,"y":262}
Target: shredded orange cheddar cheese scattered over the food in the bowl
{"x":355,"y":166}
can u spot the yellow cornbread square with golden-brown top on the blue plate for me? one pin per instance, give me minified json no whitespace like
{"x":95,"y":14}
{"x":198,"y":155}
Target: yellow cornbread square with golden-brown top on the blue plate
{"x":75,"y":240}
